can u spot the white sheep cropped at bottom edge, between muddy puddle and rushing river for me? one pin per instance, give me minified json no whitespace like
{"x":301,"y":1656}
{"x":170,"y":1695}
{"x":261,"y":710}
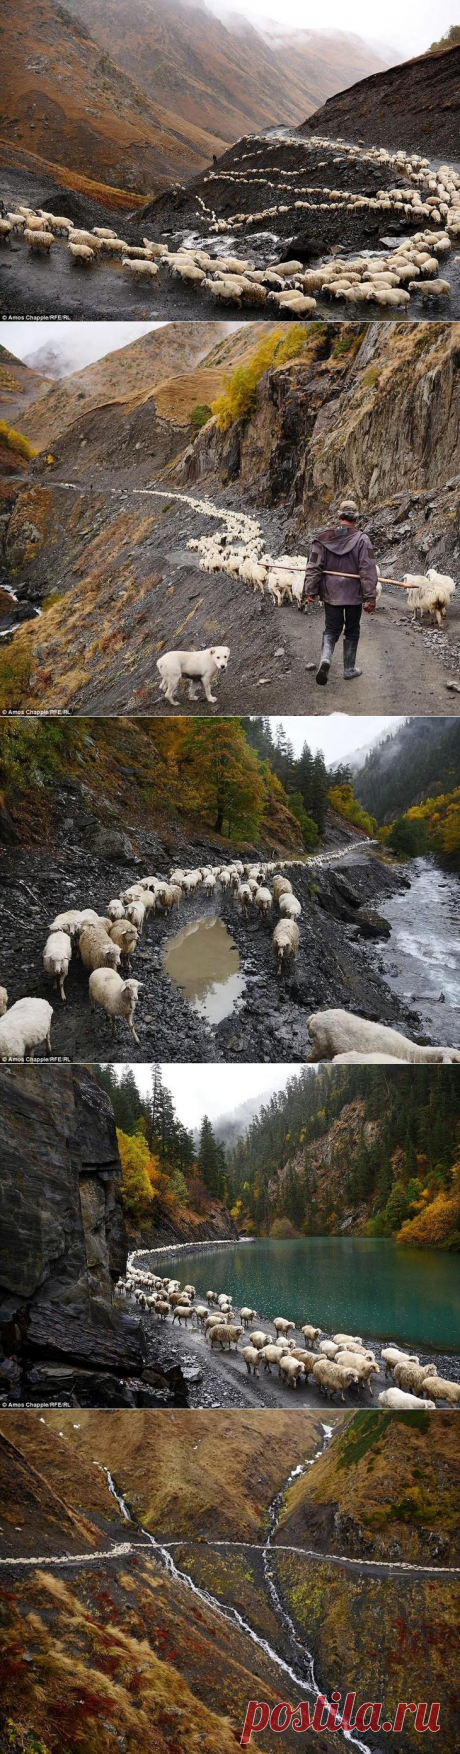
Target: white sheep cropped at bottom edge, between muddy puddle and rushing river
{"x":338,"y":1032}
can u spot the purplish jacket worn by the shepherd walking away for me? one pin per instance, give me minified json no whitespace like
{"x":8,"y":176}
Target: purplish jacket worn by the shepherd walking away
{"x":341,"y":567}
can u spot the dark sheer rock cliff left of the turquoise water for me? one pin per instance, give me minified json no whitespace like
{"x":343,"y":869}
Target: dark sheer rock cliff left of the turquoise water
{"x":64,"y":1239}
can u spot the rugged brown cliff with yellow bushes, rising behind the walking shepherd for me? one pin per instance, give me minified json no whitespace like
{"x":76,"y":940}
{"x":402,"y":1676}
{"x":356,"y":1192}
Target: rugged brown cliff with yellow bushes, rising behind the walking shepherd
{"x":373,"y":410}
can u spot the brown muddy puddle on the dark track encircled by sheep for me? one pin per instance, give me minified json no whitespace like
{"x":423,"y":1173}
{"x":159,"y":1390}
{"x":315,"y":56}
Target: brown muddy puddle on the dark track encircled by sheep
{"x":205,"y":962}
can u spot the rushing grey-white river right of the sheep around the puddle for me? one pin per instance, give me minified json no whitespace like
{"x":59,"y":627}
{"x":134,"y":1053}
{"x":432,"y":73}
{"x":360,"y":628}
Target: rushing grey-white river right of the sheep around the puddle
{"x":422,"y":959}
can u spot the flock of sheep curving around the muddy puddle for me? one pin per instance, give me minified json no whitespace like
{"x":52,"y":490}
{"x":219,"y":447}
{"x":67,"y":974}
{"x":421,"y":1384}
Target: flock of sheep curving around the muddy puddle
{"x":108,"y":943}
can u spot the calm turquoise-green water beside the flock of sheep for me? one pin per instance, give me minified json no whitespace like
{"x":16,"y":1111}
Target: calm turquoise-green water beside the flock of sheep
{"x":354,"y":1285}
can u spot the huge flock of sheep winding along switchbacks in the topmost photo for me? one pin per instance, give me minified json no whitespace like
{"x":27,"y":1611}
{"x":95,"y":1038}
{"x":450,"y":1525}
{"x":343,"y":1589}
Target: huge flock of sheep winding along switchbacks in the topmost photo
{"x":385,"y":280}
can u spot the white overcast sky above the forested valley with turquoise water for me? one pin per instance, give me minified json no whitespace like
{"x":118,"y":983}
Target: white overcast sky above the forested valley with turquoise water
{"x":215,"y":1090}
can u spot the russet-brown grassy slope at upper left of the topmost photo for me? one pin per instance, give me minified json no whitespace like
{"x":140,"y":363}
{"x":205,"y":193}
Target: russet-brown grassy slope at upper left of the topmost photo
{"x":71,"y":106}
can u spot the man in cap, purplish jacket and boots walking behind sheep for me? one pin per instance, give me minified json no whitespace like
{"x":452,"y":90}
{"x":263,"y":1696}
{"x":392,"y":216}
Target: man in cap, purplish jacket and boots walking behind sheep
{"x":341,"y":571}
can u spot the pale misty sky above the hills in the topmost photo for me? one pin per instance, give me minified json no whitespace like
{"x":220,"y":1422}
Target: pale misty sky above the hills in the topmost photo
{"x":406,"y":29}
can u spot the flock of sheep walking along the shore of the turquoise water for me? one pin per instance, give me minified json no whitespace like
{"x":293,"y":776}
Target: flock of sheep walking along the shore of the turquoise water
{"x":336,"y":1365}
